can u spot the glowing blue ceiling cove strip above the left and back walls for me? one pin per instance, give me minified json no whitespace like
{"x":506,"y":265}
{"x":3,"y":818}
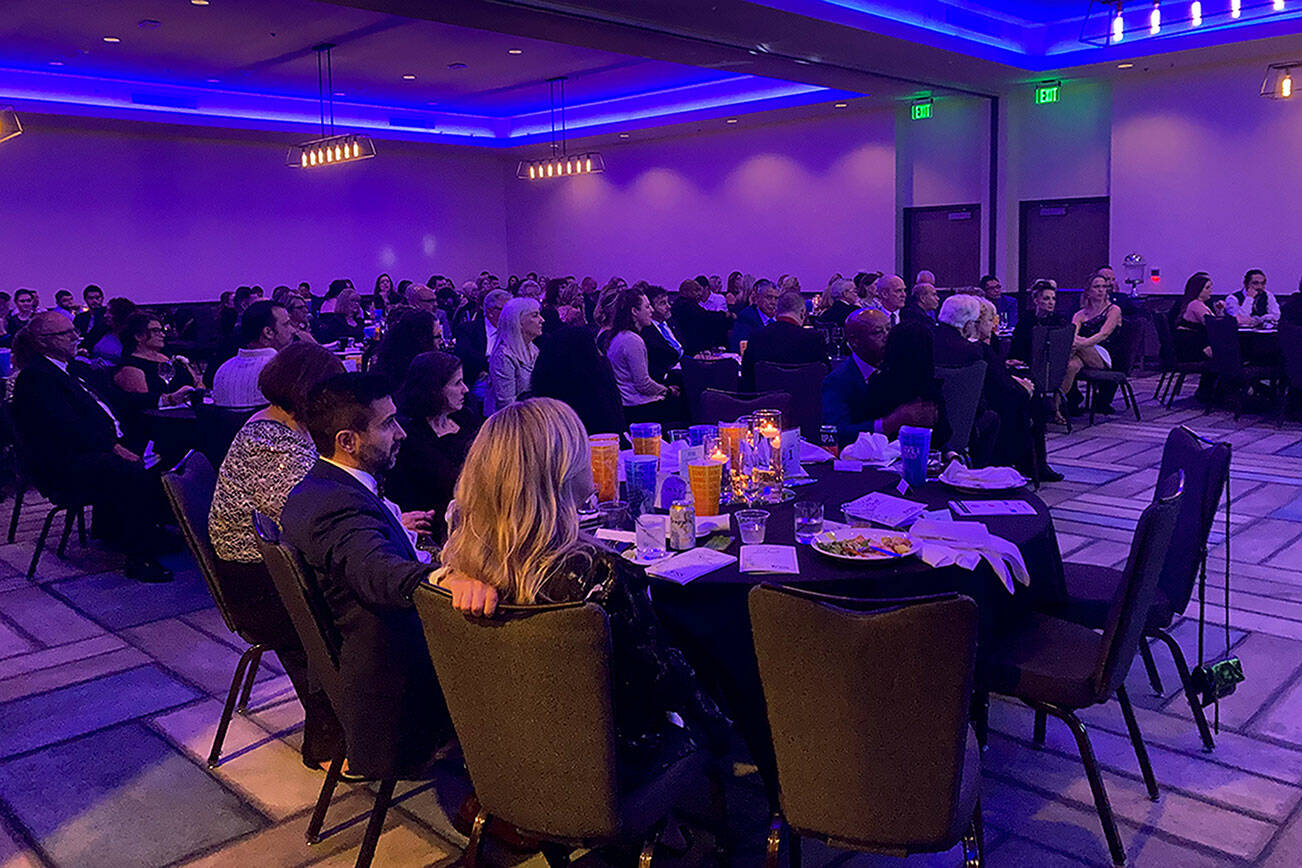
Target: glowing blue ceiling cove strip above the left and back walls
{"x":94,"y":97}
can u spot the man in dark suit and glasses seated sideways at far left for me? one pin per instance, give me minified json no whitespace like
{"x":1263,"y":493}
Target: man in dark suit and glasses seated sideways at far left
{"x":75,"y":451}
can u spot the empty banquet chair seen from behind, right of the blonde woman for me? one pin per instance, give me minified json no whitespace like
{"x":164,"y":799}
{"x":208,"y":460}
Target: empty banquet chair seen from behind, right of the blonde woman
{"x":866,"y":762}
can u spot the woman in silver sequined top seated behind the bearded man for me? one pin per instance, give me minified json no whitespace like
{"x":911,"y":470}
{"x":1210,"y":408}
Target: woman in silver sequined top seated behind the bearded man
{"x":270,"y":456}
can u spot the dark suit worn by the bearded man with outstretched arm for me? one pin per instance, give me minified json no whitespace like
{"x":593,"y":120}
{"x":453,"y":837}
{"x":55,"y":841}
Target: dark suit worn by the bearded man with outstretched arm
{"x":367,"y":568}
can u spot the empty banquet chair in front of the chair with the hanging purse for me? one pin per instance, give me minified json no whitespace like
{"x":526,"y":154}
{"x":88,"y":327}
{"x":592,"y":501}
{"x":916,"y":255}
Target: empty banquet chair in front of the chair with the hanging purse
{"x":1058,"y":667}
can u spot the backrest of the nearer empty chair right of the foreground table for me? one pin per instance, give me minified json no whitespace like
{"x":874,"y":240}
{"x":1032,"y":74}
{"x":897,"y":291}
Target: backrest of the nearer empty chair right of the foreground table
{"x":1128,"y":616}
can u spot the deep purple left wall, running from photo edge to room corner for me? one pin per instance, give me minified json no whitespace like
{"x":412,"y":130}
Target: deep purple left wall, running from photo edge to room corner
{"x":182,"y":214}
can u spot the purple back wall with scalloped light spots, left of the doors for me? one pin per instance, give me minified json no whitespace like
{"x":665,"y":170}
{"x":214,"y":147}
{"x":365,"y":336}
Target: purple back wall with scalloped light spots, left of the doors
{"x":810,"y":198}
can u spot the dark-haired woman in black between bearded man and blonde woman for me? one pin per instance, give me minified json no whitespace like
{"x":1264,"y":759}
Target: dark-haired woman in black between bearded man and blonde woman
{"x":439,"y":431}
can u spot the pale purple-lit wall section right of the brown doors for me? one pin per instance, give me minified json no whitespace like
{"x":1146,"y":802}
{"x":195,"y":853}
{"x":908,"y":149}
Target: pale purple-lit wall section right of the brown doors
{"x":1208,"y":176}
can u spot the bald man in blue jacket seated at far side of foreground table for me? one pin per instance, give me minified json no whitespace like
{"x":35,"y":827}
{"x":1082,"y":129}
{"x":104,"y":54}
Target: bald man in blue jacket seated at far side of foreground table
{"x":847,"y":394}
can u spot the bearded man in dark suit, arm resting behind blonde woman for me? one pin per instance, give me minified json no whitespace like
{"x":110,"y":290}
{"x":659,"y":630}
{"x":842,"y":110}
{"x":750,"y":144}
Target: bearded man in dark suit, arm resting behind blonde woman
{"x":363,"y":552}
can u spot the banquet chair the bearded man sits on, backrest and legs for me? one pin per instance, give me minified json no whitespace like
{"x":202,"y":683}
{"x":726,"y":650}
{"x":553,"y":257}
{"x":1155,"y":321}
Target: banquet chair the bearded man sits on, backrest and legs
{"x":311,"y":616}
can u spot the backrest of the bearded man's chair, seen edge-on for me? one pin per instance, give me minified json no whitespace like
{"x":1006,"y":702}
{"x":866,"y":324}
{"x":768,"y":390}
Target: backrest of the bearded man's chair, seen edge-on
{"x":296,"y":585}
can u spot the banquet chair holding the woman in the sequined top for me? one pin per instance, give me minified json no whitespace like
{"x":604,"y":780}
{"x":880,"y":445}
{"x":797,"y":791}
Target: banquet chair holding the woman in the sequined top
{"x":189,"y":490}
